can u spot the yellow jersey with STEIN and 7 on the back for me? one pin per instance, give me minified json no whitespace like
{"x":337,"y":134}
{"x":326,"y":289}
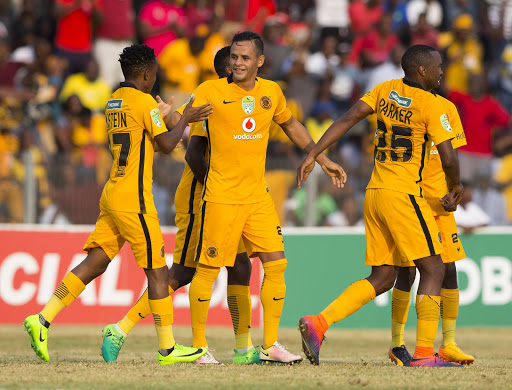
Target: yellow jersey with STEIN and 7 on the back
{"x":133,"y":121}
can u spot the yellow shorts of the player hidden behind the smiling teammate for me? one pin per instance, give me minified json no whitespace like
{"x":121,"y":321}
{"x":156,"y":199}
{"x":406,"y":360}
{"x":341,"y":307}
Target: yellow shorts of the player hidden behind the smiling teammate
{"x":187,"y":237}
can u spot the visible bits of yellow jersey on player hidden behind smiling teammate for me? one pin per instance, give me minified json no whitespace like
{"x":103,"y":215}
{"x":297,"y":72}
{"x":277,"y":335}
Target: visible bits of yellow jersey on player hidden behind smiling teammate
{"x":189,"y":191}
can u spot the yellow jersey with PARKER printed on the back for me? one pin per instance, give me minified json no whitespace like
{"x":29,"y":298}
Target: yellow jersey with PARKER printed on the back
{"x":408,"y":118}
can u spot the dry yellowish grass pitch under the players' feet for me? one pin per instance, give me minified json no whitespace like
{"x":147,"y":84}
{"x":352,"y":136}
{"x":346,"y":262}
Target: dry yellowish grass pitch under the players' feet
{"x":349,"y":359}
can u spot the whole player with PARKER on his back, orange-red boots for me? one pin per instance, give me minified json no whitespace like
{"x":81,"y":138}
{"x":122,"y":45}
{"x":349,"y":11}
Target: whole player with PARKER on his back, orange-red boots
{"x":397,"y":216}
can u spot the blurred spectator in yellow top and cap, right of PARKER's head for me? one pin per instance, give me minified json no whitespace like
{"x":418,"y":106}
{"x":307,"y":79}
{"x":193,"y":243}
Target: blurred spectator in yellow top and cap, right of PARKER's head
{"x":463,"y":53}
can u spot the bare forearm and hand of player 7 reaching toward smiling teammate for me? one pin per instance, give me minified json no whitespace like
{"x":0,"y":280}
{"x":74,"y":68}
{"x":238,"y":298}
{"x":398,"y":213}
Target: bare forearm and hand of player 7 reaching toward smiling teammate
{"x":167,"y":141}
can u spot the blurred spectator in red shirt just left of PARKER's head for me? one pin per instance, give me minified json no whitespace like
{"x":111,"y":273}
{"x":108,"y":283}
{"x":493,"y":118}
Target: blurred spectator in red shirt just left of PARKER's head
{"x":374,"y":48}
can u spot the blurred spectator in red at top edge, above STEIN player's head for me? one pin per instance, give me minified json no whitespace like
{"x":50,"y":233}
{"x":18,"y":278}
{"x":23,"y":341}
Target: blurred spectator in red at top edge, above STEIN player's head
{"x":161,"y":22}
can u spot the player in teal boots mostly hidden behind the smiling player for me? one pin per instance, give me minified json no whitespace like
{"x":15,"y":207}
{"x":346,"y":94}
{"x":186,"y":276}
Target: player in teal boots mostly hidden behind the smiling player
{"x":186,"y":202}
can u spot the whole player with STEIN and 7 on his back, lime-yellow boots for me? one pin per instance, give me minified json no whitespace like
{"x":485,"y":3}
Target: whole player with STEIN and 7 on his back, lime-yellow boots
{"x":127,"y":209}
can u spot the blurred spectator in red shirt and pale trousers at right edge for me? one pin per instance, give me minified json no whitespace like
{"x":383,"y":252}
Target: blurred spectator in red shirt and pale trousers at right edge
{"x":481,"y":116}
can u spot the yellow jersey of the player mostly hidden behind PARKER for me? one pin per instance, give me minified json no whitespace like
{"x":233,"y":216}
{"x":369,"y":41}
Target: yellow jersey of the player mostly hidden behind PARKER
{"x":434,"y":180}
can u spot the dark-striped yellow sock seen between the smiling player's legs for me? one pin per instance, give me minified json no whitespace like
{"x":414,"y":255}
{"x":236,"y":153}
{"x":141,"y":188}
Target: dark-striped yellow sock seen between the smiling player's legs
{"x":239,"y":303}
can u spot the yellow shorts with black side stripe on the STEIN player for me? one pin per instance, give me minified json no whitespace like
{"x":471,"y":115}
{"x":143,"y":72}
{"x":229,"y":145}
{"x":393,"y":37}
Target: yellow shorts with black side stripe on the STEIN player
{"x":142,"y":231}
